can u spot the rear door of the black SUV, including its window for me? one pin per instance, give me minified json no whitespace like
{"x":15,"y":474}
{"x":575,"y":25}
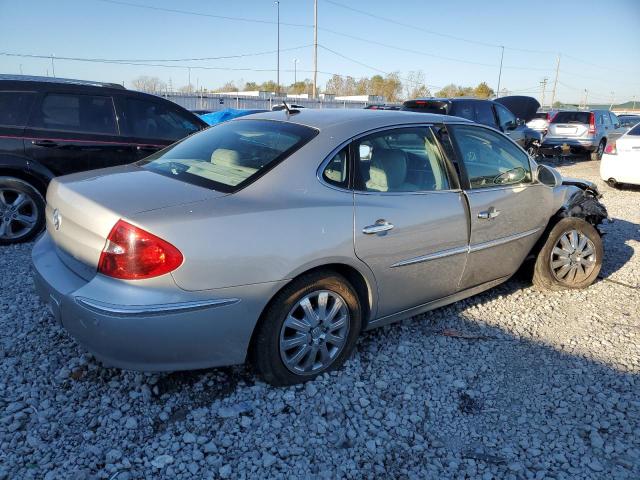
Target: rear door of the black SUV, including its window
{"x":71,"y":132}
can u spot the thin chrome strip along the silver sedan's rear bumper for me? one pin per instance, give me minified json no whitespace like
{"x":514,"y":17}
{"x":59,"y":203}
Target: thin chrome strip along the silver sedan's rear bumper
{"x":141,"y":310}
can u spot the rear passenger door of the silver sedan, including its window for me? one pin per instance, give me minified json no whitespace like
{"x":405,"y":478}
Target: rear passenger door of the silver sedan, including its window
{"x":410,"y":221}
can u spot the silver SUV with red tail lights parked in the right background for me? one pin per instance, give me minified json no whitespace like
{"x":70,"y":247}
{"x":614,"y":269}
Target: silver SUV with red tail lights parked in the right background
{"x":579,"y":132}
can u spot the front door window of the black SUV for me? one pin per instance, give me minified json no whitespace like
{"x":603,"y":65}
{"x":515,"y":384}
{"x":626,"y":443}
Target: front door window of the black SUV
{"x":153,"y":120}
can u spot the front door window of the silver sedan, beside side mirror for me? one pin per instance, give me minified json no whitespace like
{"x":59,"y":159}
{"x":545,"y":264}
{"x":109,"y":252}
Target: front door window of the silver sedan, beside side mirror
{"x":491,"y":160}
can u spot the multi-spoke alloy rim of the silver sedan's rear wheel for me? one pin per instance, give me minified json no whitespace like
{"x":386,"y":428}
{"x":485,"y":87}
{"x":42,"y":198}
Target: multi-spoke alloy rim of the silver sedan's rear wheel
{"x":314,"y":332}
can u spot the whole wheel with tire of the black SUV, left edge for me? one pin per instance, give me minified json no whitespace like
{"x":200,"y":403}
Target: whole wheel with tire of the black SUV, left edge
{"x":21,"y":211}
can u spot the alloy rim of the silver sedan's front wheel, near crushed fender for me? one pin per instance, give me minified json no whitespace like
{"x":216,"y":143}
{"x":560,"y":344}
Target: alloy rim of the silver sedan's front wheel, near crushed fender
{"x":573,"y":258}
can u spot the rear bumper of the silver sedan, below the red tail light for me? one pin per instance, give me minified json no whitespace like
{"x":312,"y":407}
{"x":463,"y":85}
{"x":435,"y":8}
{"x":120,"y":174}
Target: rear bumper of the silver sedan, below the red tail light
{"x":186,"y":330}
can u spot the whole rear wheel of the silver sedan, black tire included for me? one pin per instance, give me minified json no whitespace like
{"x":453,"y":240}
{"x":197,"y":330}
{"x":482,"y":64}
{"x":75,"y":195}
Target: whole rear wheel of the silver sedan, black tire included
{"x":268,"y":355}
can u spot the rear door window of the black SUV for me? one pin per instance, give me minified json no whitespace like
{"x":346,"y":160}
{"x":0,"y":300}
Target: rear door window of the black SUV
{"x":76,"y":113}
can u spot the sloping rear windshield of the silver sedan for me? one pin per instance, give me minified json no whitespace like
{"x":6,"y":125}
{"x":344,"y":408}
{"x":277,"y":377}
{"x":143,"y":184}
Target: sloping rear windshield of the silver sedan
{"x":230,"y":155}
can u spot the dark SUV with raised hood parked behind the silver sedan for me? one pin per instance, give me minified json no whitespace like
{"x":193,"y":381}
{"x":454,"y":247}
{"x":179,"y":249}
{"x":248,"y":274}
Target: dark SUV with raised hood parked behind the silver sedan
{"x":510,"y":120}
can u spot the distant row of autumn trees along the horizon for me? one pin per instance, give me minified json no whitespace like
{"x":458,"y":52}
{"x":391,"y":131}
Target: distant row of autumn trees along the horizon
{"x":391,"y":86}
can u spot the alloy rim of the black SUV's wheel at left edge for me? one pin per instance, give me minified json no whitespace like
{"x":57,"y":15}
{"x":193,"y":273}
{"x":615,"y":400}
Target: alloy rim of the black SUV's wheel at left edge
{"x":18,"y":214}
